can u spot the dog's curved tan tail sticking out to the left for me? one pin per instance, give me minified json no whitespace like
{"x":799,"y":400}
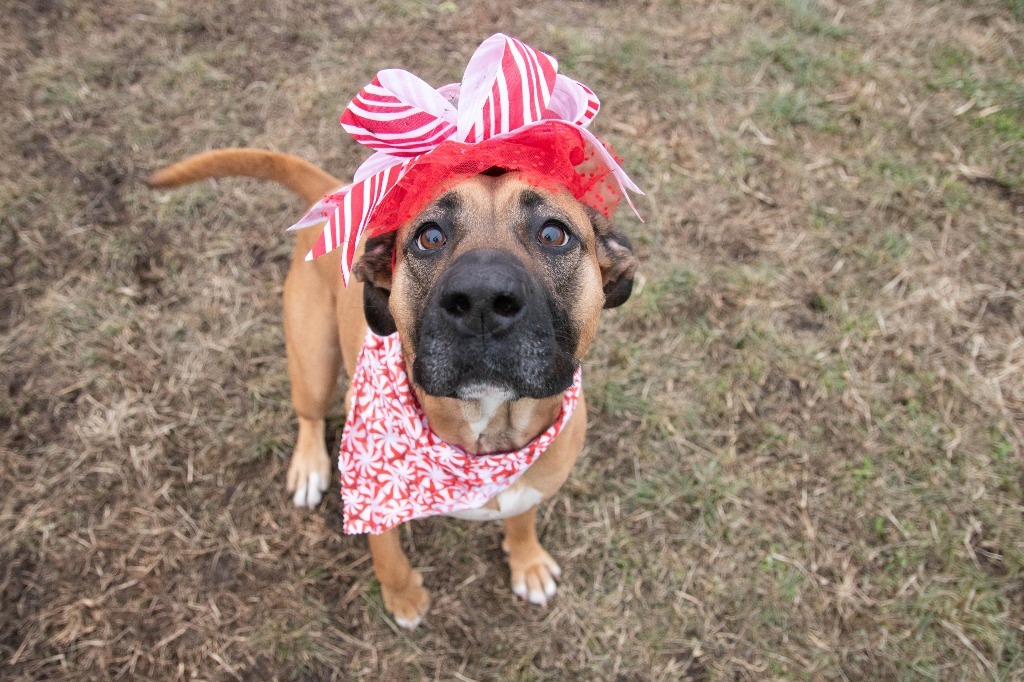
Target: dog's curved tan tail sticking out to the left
{"x":301,"y":177}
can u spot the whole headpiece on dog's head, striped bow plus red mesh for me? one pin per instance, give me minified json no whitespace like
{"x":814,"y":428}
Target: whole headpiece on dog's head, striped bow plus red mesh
{"x":513,"y":111}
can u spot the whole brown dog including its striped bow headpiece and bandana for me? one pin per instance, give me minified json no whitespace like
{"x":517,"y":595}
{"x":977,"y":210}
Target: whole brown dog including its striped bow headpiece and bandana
{"x":490,"y":258}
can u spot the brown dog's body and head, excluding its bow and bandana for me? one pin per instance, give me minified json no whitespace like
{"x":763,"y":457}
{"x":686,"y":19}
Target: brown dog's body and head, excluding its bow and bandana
{"x":491,"y":228}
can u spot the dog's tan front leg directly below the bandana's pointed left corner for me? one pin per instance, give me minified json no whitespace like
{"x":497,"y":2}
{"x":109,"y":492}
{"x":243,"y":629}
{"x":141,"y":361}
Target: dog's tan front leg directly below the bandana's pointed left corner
{"x":401,"y":586}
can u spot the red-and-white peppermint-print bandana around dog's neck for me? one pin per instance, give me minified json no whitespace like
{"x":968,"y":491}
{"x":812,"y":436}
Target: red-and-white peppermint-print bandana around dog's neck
{"x":395,"y":468}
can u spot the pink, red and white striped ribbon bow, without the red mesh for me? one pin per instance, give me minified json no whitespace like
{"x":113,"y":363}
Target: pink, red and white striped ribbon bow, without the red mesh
{"x":508,"y":88}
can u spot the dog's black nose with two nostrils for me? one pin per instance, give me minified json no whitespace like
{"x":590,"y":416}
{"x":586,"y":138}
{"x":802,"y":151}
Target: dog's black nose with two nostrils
{"x":485,"y":292}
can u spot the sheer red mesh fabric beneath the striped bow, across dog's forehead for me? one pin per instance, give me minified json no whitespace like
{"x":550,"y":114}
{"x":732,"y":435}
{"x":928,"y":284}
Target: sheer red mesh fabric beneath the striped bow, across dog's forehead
{"x":551,"y":155}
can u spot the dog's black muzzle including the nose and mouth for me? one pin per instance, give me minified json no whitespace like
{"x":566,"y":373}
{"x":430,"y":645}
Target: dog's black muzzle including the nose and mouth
{"x":490,"y":327}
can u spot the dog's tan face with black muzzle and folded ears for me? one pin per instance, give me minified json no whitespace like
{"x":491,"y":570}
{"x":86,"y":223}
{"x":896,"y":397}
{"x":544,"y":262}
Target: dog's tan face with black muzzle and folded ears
{"x":497,"y":288}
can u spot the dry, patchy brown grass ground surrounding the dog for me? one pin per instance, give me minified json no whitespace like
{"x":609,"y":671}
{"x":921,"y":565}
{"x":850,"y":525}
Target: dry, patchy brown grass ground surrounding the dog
{"x":804,"y":459}
